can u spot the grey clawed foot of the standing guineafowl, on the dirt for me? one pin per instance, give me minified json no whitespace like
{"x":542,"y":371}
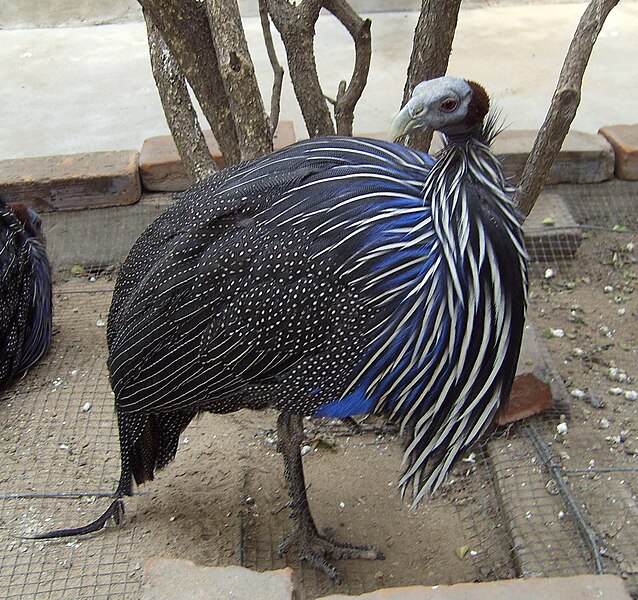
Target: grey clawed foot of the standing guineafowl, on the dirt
{"x":316,"y":549}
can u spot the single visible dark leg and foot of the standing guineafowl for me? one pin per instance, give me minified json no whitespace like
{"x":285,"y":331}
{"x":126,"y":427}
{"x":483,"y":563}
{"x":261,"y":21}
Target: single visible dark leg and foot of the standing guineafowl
{"x":314,"y":547}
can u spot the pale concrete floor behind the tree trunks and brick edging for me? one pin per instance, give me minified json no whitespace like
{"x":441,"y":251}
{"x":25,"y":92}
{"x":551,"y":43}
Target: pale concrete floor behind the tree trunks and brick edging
{"x":80,"y":89}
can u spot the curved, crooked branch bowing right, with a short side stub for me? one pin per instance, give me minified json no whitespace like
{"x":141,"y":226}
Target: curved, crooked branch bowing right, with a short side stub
{"x":347,"y":97}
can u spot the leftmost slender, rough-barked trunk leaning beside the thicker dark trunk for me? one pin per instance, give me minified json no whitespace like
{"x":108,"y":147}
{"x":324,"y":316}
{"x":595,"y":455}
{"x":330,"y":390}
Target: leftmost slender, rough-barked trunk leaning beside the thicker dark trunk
{"x":178,"y":108}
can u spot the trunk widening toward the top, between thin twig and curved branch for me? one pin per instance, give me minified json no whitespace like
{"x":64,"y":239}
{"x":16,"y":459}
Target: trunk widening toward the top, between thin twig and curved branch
{"x":296,"y":25}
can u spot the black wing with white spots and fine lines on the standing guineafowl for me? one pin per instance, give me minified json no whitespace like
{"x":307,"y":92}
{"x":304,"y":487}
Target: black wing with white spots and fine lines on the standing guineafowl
{"x":232,"y":304}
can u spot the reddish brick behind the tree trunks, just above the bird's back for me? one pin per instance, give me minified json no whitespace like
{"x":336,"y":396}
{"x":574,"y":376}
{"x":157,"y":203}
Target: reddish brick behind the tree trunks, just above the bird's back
{"x":161,"y":167}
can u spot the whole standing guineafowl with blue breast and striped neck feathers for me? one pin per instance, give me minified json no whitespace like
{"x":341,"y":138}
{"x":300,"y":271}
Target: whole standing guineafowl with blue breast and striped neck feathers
{"x":336,"y":277}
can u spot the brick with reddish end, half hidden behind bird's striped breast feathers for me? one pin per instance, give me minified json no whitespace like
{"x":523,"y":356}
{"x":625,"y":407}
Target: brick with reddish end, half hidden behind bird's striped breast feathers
{"x":530,"y":393}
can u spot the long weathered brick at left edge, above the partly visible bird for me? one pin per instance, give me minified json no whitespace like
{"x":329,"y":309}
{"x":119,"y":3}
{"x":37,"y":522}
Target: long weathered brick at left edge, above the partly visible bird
{"x":91,"y":180}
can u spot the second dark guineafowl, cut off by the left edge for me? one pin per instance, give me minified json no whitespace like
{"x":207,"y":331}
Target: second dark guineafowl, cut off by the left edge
{"x":25,"y":294}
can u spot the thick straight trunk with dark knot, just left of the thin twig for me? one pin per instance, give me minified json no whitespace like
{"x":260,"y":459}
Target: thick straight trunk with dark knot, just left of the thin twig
{"x":238,"y":77}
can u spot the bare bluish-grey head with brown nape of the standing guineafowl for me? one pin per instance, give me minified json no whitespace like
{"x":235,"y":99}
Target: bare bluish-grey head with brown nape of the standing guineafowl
{"x":450,"y":105}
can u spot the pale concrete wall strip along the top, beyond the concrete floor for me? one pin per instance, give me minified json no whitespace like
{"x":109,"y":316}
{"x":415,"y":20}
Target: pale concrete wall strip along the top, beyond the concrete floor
{"x":25,"y":14}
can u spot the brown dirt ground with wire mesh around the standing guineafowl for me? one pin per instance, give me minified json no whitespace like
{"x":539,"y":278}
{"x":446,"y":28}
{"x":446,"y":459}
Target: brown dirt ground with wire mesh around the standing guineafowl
{"x":534,"y":500}
